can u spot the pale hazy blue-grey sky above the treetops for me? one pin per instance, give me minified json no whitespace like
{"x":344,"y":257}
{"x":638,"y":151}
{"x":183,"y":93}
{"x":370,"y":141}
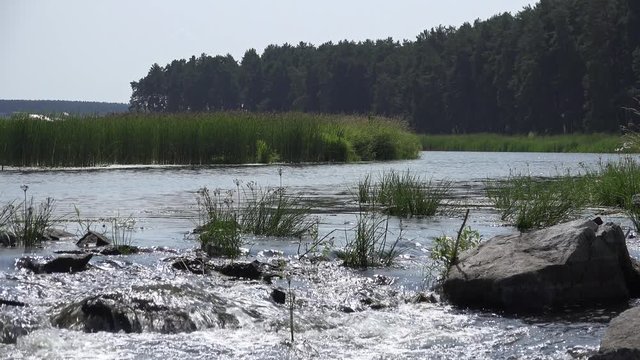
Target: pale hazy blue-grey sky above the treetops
{"x":91,"y":50}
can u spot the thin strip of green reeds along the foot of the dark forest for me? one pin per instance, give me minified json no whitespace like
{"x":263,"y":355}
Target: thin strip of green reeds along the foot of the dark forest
{"x":576,"y":143}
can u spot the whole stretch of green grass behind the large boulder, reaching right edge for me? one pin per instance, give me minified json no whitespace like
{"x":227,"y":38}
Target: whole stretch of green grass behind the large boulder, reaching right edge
{"x":529,"y":202}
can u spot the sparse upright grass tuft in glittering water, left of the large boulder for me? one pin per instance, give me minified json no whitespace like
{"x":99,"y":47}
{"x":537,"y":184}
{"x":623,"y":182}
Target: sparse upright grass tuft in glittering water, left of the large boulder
{"x":370,"y":244}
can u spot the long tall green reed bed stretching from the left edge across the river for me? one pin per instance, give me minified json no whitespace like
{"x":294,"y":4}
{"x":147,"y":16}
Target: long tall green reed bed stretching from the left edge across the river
{"x":205,"y":138}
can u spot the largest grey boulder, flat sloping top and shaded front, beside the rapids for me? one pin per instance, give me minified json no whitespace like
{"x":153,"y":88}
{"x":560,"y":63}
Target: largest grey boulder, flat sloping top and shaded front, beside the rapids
{"x":576,"y":263}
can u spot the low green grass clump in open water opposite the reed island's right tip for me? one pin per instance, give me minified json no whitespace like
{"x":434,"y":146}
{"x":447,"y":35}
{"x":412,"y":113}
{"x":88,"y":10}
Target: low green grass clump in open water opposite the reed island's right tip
{"x":404,"y":194}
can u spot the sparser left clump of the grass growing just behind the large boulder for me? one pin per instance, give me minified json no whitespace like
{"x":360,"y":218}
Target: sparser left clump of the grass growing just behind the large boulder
{"x":531,"y":202}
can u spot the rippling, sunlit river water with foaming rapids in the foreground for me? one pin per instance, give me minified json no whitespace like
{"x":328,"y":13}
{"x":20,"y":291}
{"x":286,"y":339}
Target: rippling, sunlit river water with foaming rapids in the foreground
{"x":162,"y":202}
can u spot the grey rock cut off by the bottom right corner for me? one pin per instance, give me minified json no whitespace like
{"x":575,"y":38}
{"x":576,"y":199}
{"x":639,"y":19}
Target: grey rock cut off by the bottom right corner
{"x":621,"y":339}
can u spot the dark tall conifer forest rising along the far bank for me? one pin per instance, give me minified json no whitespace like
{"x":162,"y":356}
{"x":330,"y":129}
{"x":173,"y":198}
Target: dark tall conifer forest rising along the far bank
{"x":561,"y":66}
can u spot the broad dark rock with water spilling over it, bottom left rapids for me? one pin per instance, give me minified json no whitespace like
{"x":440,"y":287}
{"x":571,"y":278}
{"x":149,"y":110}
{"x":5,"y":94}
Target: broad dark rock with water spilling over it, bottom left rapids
{"x":134,"y":314}
